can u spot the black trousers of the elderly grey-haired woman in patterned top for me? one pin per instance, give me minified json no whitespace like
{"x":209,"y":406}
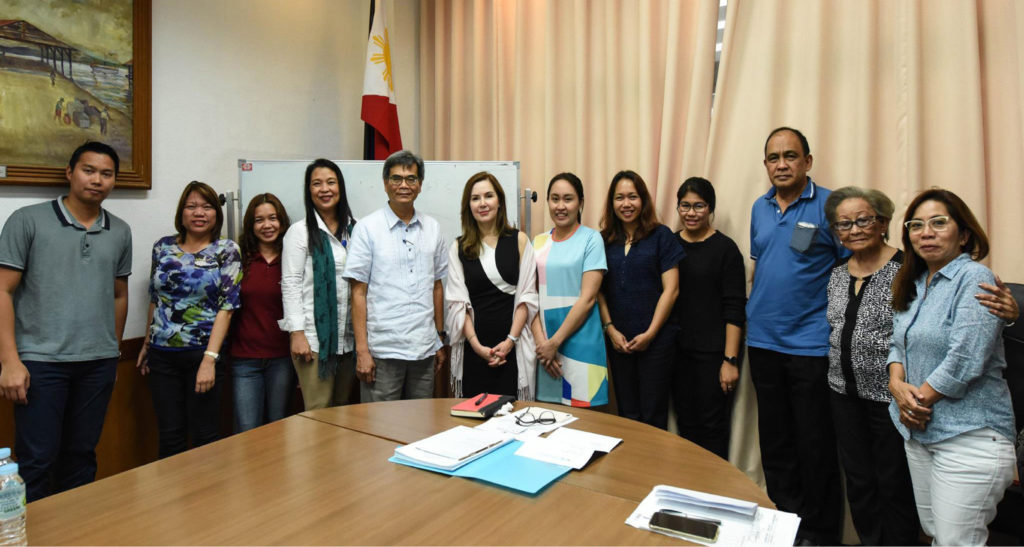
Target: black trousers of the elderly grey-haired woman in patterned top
{"x":878,"y":481}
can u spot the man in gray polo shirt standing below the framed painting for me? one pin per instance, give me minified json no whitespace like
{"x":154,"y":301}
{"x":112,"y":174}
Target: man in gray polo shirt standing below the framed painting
{"x":64,"y":300}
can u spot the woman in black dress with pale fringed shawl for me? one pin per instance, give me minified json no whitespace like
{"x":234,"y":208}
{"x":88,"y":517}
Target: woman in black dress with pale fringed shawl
{"x":491,"y":297}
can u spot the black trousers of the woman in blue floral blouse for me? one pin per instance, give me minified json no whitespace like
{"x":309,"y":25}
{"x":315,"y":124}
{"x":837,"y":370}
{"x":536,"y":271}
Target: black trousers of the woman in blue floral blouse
{"x":181,"y":411}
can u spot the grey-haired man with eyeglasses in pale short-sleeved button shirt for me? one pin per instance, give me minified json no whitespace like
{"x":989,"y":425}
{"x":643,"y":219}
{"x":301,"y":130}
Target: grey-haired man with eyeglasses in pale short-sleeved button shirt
{"x":397,"y":262}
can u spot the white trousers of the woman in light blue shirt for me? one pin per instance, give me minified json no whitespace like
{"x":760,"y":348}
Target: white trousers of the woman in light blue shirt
{"x":959,"y":482}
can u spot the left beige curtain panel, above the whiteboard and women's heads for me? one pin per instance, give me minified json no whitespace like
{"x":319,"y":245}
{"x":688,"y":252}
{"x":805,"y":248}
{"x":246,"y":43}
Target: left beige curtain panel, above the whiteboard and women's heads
{"x":591,"y":88}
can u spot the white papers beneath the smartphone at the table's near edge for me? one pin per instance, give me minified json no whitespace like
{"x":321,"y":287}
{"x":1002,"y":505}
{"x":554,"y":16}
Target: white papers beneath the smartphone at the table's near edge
{"x":743,"y":523}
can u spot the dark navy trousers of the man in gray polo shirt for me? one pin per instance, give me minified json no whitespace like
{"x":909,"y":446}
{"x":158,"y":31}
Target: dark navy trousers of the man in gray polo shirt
{"x":56,"y":434}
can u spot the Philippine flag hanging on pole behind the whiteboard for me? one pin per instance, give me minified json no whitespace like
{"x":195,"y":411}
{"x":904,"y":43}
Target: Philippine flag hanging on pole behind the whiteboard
{"x":379,"y":109}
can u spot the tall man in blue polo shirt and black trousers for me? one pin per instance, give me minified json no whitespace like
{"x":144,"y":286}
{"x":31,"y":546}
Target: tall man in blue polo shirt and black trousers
{"x":788,"y":340}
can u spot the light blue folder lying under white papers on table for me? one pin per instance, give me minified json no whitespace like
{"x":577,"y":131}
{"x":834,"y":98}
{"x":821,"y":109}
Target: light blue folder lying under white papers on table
{"x":504,"y":469}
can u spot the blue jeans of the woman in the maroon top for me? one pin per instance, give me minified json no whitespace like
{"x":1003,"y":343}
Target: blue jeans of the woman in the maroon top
{"x":263,"y":389}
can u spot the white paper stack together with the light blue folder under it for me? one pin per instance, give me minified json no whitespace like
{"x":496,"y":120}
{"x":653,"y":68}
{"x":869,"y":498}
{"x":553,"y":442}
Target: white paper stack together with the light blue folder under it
{"x":487,"y":456}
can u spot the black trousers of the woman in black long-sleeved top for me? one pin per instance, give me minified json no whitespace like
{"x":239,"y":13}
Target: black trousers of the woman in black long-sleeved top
{"x":704,"y":412}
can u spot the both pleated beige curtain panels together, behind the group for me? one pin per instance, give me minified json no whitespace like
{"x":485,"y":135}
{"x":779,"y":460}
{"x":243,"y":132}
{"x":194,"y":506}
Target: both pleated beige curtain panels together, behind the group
{"x":899,"y":96}
